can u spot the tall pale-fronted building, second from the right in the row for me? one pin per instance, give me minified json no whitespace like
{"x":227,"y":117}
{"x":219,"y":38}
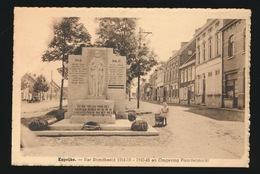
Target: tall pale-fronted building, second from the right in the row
{"x":209,"y":63}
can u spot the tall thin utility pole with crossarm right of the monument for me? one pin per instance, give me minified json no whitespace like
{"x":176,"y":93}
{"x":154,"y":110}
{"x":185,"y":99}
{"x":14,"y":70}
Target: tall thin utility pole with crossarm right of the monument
{"x":139,"y":66}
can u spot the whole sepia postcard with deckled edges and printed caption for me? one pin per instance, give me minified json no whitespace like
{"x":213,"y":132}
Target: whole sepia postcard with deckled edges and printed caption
{"x":157,"y":87}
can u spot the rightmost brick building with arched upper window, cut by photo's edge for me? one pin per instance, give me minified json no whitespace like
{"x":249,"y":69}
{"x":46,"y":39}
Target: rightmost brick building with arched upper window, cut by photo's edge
{"x":234,"y":46}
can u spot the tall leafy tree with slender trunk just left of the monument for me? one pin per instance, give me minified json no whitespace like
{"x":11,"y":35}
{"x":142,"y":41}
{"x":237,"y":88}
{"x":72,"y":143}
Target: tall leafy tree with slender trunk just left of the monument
{"x":69,"y":34}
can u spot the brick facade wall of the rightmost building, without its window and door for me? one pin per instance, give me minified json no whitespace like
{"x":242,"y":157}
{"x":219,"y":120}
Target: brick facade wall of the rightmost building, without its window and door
{"x":235,"y":64}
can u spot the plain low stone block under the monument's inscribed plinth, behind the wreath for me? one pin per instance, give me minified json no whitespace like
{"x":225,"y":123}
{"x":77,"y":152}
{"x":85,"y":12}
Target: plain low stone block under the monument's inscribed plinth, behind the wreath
{"x":98,"y":119}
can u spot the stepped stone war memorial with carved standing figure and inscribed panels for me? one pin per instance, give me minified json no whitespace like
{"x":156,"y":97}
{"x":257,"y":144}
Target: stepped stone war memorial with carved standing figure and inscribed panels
{"x":96,"y":86}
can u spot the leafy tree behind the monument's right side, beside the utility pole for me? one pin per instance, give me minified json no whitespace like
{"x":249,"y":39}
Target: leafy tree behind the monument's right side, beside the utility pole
{"x":120,"y":34}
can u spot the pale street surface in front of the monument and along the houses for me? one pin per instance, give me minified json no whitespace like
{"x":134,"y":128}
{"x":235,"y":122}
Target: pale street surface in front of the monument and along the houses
{"x":187,"y":135}
